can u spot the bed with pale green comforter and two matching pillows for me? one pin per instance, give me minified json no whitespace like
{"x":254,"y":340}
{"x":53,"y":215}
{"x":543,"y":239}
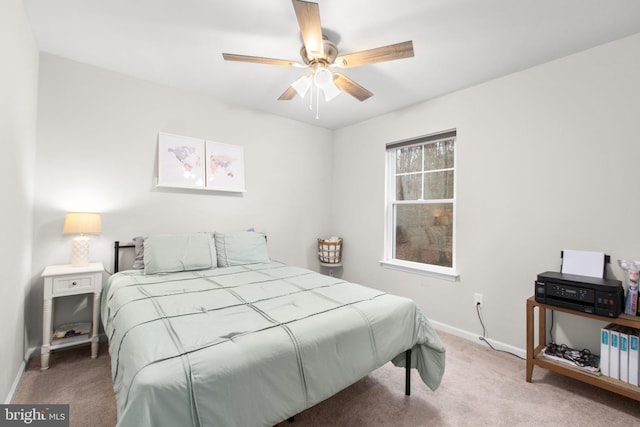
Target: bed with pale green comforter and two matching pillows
{"x":208,"y":331}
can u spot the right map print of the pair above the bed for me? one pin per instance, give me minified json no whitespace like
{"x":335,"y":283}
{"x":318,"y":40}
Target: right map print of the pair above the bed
{"x":224,"y":167}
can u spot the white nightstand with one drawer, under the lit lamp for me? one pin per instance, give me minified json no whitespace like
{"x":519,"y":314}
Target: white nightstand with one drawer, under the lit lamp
{"x":65,"y":280}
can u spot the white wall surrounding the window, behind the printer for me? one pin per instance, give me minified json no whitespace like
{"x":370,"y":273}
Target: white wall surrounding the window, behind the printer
{"x":548,"y":159}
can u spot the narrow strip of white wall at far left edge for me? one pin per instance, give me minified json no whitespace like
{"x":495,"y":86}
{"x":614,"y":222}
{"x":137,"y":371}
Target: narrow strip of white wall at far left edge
{"x":18,"y":106}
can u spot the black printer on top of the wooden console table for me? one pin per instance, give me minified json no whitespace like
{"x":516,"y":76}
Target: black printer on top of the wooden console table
{"x":604,"y":297}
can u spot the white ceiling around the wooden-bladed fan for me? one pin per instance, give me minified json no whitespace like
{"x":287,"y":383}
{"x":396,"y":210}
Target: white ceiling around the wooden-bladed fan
{"x":457,"y":43}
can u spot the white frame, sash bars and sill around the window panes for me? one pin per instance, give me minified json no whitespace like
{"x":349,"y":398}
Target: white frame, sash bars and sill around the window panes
{"x":447,"y":273}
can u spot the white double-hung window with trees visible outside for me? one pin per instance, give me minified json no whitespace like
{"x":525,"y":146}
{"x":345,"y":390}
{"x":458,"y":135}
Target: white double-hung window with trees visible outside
{"x":420,"y":228}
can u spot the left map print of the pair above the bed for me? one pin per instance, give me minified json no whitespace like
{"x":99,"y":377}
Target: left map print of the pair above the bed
{"x":180,"y":161}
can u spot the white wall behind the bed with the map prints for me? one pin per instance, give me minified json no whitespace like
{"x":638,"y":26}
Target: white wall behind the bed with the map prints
{"x":97,"y":151}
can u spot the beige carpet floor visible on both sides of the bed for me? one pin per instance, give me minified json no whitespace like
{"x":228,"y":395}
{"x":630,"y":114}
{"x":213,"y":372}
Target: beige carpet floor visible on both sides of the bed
{"x":481,"y":387}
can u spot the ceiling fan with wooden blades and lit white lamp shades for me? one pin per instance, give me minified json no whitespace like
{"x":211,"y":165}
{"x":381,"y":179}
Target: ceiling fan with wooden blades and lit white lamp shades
{"x":320,"y":54}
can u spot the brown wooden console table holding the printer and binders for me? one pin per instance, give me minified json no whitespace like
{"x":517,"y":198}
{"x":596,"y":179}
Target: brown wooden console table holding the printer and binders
{"x":535,"y":358}
